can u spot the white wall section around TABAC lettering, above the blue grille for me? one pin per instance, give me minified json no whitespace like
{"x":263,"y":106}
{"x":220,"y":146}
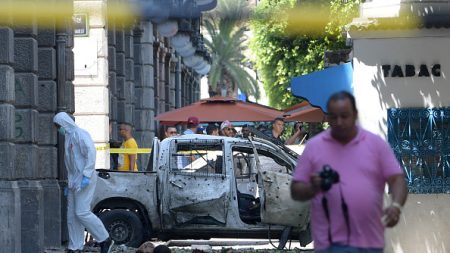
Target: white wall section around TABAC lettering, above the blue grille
{"x":375,"y":93}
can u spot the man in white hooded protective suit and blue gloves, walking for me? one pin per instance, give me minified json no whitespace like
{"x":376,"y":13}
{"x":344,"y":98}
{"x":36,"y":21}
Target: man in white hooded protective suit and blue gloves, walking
{"x":79,"y":151}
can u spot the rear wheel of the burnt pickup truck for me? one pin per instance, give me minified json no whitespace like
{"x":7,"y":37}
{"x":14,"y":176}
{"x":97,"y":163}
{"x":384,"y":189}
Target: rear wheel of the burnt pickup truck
{"x":124,"y":227}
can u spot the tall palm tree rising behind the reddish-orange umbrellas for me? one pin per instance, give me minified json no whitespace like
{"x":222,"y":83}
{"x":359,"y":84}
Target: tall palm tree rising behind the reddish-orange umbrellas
{"x":226,"y":27}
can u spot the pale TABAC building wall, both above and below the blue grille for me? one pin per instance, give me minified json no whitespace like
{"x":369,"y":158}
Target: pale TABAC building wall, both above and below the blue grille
{"x":424,"y":223}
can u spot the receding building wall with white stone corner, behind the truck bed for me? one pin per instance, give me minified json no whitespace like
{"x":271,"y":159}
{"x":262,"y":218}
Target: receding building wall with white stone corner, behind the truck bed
{"x":125,"y":73}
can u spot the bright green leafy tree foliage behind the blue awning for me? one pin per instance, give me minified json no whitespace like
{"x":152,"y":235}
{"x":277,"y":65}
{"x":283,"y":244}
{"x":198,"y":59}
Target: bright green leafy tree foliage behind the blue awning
{"x":291,"y":37}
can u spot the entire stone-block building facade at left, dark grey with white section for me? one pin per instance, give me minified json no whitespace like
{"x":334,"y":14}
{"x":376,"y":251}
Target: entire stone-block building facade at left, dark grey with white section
{"x":116,"y":73}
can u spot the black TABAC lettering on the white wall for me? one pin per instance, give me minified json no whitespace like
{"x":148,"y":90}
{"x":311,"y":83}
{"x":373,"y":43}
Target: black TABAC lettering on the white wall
{"x":409,"y":70}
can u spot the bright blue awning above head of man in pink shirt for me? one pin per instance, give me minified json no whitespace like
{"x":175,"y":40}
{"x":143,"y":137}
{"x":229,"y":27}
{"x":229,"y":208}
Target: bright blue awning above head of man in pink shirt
{"x":318,"y":86}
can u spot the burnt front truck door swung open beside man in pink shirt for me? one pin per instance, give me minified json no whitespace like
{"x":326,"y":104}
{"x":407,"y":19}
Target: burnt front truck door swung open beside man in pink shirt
{"x":274,"y":180}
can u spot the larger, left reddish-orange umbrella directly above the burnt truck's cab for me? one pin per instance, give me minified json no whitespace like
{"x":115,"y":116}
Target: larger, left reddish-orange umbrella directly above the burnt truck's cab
{"x":218,"y":109}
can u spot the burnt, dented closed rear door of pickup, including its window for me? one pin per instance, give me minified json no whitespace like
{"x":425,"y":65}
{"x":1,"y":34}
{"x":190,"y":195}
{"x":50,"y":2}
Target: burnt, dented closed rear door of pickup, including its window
{"x":197,"y":187}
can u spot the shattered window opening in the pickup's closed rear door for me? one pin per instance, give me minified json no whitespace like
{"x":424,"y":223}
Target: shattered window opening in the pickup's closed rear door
{"x":193,"y":157}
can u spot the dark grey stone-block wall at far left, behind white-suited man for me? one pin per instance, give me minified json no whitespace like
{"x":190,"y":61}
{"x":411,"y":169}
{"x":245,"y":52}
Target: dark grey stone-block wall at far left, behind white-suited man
{"x":36,"y":73}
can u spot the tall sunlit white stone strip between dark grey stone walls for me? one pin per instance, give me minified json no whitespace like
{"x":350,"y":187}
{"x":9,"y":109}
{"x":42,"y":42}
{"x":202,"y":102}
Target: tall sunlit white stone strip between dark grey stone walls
{"x":91,"y":78}
